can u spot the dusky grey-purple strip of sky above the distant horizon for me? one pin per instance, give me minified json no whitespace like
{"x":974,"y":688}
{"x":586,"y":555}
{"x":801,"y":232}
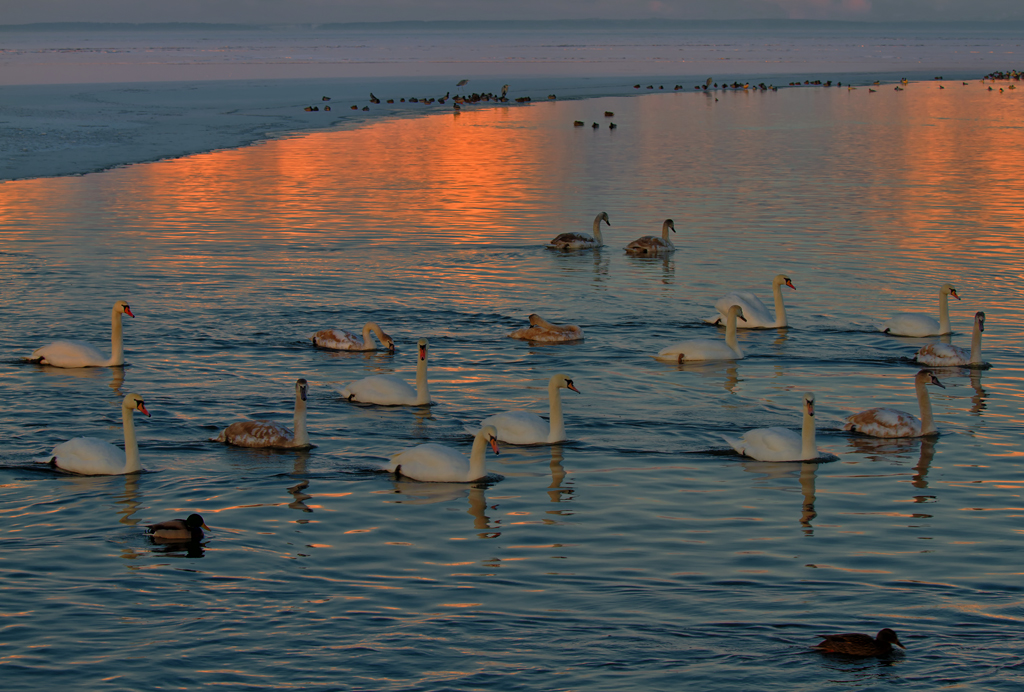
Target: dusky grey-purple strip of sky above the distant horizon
{"x":260,"y":12}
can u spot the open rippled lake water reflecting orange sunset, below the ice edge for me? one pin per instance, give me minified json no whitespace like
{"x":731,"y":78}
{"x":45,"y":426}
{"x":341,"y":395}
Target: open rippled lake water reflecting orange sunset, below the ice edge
{"x":639,"y":555}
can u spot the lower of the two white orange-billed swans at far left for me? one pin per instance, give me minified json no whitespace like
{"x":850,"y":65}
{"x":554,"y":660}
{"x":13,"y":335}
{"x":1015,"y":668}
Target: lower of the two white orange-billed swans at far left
{"x":93,"y":457}
